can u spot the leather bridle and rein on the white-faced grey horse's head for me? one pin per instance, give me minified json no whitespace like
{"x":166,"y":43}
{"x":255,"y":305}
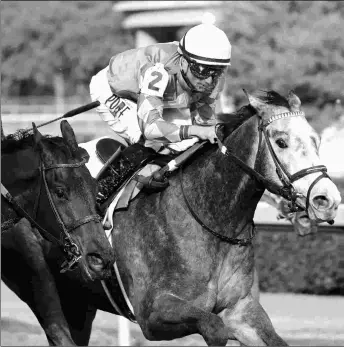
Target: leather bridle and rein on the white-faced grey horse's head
{"x":287,"y":190}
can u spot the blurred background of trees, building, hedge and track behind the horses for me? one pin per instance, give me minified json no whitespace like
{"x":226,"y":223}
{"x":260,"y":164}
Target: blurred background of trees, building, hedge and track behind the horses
{"x":50,"y":51}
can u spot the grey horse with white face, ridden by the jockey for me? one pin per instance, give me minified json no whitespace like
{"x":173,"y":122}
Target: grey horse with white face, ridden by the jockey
{"x":185,"y":254}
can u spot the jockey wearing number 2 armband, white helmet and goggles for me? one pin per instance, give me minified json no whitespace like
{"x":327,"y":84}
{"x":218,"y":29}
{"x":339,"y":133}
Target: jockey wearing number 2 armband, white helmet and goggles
{"x":163,"y":95}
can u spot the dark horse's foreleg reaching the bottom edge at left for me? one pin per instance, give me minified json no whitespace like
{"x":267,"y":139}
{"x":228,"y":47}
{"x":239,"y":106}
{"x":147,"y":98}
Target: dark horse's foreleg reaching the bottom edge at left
{"x":44,"y":299}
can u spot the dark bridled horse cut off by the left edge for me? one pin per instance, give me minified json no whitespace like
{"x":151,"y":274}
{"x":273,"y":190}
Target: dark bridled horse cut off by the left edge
{"x":48,"y":180}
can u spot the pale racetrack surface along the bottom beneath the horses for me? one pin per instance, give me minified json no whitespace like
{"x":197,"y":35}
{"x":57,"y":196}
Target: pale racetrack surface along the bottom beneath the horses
{"x":302,"y":320}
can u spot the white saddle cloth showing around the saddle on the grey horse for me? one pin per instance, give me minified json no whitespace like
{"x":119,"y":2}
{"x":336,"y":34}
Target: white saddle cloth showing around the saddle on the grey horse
{"x":128,"y":192}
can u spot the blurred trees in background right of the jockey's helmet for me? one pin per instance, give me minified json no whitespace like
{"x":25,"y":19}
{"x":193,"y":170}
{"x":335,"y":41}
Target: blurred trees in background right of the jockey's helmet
{"x":287,"y":44}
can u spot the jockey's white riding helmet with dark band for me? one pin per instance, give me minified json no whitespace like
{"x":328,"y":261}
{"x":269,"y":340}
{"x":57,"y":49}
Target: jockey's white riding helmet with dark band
{"x":206,"y":44}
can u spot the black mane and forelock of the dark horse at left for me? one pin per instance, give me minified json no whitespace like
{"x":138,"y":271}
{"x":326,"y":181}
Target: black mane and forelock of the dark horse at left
{"x":23,"y":139}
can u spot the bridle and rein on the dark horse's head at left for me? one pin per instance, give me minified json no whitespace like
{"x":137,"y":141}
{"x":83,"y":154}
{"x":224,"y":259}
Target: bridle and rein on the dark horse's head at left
{"x":70,"y":248}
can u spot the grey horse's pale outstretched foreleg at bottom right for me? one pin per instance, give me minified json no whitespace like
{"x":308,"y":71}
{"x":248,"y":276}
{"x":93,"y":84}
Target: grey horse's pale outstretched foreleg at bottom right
{"x":250,"y":324}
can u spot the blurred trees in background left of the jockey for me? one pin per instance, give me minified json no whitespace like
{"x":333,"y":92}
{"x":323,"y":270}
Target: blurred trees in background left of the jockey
{"x":47,"y":42}
